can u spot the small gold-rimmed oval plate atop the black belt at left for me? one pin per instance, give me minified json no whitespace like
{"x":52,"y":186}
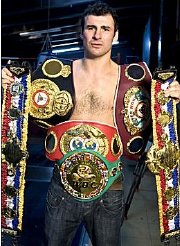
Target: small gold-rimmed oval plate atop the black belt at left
{"x":54,"y":68}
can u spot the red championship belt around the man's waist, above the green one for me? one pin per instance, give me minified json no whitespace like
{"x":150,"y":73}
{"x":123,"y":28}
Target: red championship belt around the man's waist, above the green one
{"x":83,"y":135}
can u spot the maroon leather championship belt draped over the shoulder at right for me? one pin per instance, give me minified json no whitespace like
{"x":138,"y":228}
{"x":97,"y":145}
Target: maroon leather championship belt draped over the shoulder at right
{"x":133,"y":110}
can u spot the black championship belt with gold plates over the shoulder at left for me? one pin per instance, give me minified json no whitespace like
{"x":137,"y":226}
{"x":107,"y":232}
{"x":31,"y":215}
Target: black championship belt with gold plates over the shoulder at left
{"x":52,"y":90}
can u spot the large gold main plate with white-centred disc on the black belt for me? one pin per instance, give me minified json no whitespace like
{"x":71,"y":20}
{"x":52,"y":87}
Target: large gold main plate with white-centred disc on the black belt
{"x":48,"y":100}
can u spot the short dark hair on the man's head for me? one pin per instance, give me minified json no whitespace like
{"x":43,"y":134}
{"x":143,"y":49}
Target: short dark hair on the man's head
{"x":99,"y":9}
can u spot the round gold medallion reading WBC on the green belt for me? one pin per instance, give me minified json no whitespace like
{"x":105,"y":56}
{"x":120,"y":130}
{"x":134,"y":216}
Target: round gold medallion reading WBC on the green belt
{"x":84,"y":175}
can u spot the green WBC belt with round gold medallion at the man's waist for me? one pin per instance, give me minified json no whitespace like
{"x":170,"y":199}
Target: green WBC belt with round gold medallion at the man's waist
{"x":86,"y":175}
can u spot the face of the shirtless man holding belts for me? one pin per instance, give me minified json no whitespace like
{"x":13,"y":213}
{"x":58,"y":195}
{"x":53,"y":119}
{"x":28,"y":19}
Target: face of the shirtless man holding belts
{"x":98,"y":35}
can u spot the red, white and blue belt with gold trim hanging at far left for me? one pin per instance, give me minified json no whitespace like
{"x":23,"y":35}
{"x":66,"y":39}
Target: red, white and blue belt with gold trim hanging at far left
{"x":15,"y":108}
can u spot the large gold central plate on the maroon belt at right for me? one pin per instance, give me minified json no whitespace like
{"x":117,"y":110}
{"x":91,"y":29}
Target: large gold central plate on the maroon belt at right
{"x":137,"y":112}
